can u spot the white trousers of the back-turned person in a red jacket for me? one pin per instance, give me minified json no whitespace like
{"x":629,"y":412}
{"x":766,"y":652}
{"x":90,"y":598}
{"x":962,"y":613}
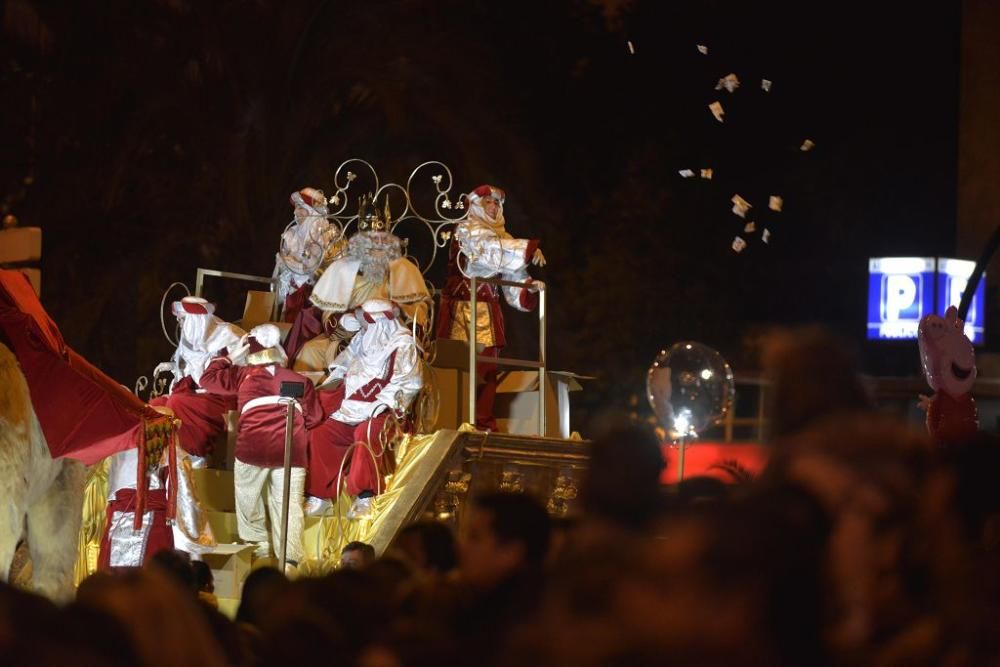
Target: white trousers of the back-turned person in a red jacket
{"x":251,"y":522}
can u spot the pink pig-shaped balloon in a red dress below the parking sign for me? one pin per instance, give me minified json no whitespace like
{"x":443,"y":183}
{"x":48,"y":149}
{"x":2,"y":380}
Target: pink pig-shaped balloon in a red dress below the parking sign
{"x":949,"y":362}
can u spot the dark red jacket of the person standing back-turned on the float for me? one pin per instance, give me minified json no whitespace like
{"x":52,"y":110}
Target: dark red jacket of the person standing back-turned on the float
{"x":261,"y":440}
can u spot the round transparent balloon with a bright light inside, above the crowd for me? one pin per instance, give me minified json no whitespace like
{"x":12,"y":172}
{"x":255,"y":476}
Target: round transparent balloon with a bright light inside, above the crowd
{"x":690,"y":388}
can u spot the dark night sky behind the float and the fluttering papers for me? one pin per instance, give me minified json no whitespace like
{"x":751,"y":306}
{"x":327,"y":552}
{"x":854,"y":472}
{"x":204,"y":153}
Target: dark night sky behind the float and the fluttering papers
{"x":164,"y":136}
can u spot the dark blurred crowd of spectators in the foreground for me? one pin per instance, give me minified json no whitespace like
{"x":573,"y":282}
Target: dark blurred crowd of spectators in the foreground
{"x":859,"y":544}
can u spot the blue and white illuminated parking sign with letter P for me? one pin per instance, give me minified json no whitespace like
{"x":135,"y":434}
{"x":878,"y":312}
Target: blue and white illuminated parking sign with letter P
{"x":901,"y":290}
